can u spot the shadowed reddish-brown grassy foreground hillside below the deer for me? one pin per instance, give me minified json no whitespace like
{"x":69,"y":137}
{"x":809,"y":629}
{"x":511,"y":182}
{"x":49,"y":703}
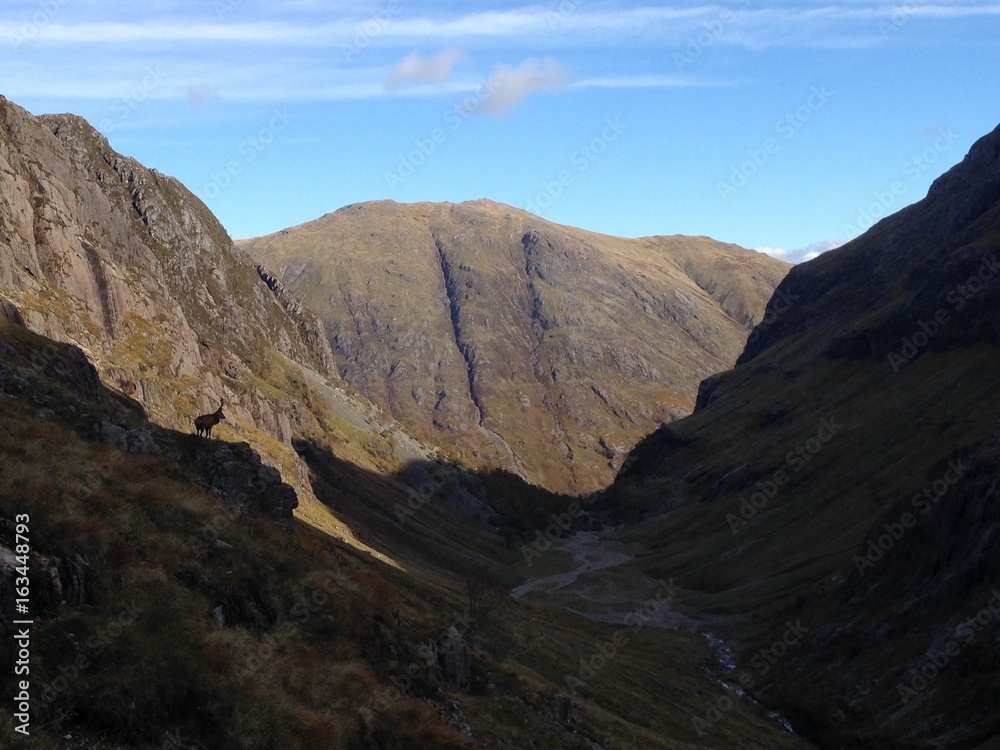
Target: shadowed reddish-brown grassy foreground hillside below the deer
{"x":177,"y":604}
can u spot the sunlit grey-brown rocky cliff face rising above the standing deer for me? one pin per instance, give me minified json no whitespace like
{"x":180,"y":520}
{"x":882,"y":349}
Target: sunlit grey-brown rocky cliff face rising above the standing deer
{"x":125,"y":262}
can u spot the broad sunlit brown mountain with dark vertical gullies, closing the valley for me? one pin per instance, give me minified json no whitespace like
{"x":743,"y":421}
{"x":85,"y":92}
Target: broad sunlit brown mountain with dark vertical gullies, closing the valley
{"x":517,"y":342}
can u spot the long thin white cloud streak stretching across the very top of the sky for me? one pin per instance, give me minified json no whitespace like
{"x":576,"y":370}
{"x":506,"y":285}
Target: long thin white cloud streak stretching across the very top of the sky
{"x":790,"y":25}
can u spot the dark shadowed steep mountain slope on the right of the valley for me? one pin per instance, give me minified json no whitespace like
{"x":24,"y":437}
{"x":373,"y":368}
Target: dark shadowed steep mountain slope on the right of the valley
{"x":843,"y":478}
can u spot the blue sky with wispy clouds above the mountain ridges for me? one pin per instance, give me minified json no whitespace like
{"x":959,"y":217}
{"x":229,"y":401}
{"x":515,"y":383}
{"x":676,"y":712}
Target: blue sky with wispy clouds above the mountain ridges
{"x":781,"y":125}
